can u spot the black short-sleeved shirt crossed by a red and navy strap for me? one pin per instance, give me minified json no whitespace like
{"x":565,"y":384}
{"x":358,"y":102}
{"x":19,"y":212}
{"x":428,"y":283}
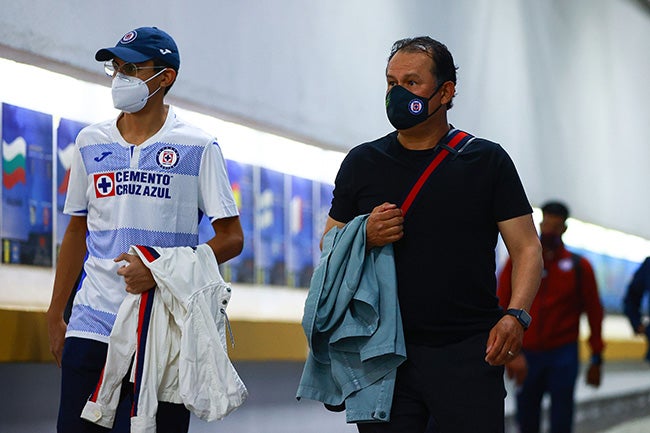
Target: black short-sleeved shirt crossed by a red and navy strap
{"x":446,"y":260}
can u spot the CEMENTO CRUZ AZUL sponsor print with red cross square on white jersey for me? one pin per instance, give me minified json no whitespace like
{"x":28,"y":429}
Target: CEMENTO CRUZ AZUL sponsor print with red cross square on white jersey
{"x":133,"y":182}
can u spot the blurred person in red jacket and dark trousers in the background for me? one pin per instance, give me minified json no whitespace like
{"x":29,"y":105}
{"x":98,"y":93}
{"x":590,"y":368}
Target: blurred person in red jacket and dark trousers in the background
{"x":548,"y":362}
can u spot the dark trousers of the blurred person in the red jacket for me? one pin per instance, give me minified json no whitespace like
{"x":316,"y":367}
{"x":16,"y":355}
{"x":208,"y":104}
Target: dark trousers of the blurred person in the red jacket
{"x":553,"y":372}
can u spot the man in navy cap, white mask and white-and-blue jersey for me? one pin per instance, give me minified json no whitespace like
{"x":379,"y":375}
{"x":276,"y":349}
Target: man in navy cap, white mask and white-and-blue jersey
{"x":140,"y":179}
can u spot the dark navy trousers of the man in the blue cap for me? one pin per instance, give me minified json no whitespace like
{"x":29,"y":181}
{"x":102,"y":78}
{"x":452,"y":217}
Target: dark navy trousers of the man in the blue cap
{"x":81,"y":367}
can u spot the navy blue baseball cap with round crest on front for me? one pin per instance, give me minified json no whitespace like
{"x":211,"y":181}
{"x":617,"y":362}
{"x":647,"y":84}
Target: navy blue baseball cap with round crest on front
{"x":142,"y":44}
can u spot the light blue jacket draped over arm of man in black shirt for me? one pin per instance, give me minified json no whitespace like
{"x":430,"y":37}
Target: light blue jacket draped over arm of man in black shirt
{"x":353,"y":326}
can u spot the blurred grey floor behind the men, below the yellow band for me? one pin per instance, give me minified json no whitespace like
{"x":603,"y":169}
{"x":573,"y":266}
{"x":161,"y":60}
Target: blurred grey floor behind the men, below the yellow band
{"x":29,"y":395}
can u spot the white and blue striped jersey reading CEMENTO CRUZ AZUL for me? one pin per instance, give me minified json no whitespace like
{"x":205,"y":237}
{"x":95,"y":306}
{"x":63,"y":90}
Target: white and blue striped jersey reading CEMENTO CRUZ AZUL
{"x":153,"y":194}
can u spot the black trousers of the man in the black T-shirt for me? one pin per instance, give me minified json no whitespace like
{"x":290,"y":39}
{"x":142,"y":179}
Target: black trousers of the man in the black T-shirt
{"x":448,"y":389}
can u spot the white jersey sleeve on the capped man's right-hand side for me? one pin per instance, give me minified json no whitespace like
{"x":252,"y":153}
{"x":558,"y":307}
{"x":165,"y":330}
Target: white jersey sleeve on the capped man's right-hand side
{"x":216,"y":199}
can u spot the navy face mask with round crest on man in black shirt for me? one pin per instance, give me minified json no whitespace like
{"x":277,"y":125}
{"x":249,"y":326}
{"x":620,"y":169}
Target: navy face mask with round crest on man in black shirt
{"x":405,"y":109}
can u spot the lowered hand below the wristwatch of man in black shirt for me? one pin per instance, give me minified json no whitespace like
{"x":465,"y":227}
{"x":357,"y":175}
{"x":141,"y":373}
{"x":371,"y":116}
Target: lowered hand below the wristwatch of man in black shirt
{"x":504,"y":341}
